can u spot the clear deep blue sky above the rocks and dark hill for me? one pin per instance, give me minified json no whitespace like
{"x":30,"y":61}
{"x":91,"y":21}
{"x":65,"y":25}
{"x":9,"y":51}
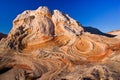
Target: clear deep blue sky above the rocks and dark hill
{"x":101,"y":14}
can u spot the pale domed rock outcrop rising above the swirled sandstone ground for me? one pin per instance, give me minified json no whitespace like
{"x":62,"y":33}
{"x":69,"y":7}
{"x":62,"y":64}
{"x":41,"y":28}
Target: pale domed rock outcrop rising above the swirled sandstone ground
{"x":41,"y":25}
